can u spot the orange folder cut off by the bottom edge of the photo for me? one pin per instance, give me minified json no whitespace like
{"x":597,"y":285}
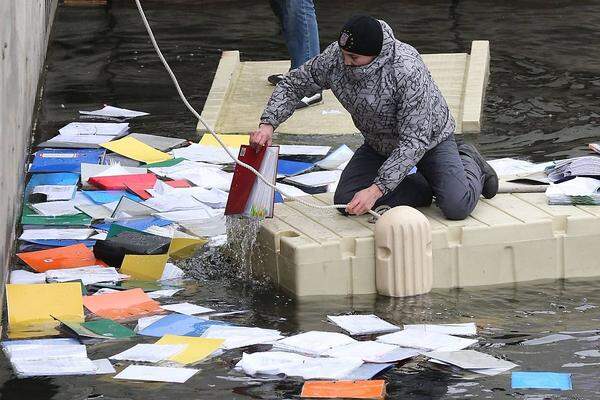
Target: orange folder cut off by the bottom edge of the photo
{"x":344,"y":389}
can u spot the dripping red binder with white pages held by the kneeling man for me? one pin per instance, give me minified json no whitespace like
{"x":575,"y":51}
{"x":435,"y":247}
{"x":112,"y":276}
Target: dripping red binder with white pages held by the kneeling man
{"x":248,"y":195}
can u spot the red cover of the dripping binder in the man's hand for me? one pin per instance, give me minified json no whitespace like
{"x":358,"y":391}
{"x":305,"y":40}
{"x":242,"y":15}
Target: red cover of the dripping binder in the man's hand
{"x":243,"y":179}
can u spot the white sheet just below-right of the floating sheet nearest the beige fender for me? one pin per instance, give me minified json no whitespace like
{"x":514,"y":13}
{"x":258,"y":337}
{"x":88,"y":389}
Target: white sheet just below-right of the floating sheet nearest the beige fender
{"x":418,"y":339}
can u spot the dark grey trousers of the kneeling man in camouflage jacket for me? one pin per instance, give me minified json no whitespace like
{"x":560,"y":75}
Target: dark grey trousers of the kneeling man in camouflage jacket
{"x":455,"y":181}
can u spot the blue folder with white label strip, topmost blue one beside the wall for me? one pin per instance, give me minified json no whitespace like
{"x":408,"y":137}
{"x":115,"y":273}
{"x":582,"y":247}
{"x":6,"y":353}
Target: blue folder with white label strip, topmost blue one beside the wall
{"x":64,"y":160}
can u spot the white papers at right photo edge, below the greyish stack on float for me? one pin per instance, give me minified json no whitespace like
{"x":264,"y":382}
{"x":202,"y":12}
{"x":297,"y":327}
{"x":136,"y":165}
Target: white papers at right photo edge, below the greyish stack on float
{"x":575,"y":191}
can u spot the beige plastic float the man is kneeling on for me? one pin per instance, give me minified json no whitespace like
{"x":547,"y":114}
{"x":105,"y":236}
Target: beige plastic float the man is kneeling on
{"x":510,"y":238}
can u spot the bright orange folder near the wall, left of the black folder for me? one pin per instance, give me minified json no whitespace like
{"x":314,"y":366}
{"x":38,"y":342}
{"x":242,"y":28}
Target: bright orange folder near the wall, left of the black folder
{"x":74,"y":256}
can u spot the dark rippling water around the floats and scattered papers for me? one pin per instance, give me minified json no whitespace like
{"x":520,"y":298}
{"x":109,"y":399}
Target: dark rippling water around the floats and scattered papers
{"x":542,"y":103}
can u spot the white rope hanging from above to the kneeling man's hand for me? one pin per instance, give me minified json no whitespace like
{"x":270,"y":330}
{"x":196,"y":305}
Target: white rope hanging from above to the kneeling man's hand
{"x":212,"y":132}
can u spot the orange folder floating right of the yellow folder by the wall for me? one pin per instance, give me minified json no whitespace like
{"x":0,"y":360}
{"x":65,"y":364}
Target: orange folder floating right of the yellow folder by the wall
{"x":122,"y":305}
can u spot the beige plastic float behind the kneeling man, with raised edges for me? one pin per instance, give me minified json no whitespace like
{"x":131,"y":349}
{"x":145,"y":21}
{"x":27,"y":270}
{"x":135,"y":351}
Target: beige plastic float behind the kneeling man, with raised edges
{"x":240,"y":92}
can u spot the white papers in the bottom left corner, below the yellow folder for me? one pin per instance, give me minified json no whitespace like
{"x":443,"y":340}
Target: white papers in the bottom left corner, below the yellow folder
{"x":51,"y":357}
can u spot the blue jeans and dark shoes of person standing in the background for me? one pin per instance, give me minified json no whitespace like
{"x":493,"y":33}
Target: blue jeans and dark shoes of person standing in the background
{"x":301,"y":33}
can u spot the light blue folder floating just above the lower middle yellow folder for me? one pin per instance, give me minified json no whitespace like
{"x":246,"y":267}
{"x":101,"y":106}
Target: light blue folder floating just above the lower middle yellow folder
{"x":181,"y":325}
